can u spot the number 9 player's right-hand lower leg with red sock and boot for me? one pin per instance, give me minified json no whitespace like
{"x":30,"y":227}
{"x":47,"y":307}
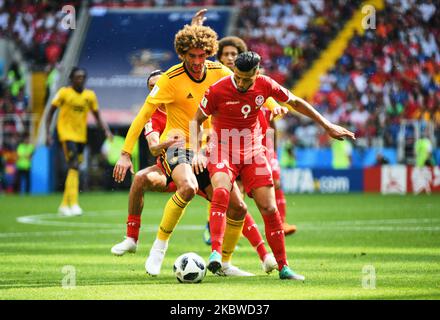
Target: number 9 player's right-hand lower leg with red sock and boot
{"x":264,"y":197}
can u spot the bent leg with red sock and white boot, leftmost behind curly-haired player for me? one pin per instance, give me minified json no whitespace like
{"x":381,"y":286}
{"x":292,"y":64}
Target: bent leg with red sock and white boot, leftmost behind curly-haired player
{"x":149,"y":179}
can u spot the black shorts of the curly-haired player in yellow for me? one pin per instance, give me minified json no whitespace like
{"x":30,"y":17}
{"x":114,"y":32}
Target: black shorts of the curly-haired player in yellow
{"x":171,"y":158}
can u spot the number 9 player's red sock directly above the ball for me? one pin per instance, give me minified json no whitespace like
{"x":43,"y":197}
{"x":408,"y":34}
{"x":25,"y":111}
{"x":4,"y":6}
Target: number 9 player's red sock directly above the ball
{"x":217,"y":217}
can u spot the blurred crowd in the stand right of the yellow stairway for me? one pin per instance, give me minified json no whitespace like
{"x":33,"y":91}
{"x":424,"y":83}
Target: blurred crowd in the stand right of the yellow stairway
{"x":385,"y":76}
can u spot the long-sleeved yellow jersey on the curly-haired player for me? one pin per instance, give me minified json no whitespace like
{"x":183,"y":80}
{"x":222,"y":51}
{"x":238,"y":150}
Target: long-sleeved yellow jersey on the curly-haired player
{"x":181,"y":94}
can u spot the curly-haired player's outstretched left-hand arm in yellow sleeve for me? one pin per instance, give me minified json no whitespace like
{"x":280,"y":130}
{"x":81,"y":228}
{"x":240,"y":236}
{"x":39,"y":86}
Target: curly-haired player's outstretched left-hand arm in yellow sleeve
{"x":124,"y":161}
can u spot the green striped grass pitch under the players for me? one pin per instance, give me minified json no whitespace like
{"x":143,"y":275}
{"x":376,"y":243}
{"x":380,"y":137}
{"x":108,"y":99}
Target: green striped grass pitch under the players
{"x":339,"y":236}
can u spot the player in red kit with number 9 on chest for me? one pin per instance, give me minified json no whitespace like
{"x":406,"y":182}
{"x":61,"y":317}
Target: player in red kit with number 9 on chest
{"x":234,"y":103}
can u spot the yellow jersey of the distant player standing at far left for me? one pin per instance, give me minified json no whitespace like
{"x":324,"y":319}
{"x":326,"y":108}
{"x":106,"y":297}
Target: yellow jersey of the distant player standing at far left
{"x":73,"y":109}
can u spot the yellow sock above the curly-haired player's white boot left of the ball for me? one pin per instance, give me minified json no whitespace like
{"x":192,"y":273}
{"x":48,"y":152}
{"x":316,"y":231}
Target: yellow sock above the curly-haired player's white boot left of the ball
{"x":174,"y":209}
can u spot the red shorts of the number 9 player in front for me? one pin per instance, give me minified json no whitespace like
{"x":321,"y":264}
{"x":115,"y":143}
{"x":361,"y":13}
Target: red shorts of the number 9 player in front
{"x":254,"y":173}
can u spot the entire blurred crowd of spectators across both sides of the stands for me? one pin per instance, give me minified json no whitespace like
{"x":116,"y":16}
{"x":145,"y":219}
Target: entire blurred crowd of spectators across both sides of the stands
{"x":386,"y":76}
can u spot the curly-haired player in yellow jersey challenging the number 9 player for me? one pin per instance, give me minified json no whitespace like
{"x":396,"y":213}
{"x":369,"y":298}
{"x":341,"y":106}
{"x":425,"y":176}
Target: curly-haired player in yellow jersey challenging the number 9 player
{"x":180,"y":89}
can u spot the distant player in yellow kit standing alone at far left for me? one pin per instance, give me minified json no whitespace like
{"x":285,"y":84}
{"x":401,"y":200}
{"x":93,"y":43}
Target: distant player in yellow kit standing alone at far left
{"x":74,"y":102}
